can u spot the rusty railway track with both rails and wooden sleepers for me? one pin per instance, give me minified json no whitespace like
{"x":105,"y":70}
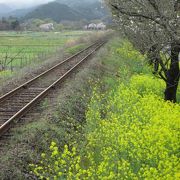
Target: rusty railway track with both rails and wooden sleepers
{"x":16,"y":103}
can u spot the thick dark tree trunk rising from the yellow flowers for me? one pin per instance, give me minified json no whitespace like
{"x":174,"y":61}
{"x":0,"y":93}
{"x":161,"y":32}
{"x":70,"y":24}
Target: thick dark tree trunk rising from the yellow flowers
{"x":173,"y":74}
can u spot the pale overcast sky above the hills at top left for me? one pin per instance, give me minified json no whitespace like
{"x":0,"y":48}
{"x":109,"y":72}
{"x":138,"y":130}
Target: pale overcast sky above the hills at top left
{"x":23,"y":3}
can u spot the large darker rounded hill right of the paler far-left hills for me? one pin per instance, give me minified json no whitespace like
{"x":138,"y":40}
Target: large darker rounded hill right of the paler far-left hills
{"x":60,"y":10}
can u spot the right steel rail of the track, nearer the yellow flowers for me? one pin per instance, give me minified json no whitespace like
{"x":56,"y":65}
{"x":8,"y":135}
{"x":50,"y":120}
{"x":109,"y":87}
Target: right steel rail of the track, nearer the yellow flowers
{"x":38,"y":98}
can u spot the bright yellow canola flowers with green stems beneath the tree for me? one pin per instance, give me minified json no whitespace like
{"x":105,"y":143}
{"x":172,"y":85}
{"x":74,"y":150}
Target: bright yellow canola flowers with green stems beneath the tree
{"x":130,"y":133}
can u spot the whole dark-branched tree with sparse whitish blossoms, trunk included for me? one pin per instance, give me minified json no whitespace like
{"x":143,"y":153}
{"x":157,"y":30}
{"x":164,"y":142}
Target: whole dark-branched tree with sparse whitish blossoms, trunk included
{"x":153,"y":26}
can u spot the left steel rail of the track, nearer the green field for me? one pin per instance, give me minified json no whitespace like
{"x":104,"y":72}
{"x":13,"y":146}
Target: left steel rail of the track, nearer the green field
{"x":11,"y":93}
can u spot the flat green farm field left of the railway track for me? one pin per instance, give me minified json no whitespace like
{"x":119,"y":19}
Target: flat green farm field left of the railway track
{"x":18,"y":50}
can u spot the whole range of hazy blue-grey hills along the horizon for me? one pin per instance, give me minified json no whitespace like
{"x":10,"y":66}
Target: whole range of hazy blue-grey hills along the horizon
{"x":61,"y":10}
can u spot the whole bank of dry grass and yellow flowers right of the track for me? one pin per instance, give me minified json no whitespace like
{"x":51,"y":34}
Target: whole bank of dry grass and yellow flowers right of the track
{"x":109,"y":122}
